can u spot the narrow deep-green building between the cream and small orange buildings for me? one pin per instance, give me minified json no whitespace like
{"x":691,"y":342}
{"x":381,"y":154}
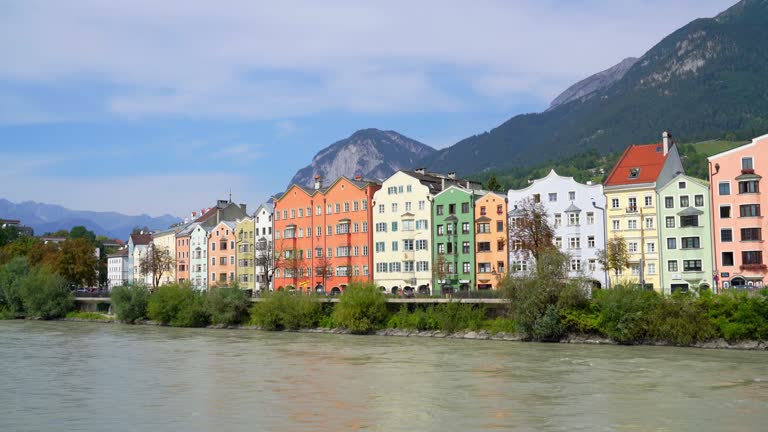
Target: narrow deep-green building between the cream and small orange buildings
{"x":454,"y":240}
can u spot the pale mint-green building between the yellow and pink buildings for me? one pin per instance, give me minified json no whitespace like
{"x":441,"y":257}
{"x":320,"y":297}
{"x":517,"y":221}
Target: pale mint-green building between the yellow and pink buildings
{"x":685,"y":234}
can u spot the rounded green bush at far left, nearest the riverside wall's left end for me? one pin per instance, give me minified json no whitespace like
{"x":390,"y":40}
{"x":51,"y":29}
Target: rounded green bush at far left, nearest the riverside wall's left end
{"x":45,"y":294}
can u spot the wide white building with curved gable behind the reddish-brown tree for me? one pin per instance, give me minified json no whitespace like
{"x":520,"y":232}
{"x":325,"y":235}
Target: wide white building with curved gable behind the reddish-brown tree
{"x":576,"y":211}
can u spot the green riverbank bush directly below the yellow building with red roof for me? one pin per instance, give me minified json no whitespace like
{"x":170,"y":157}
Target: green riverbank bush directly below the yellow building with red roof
{"x":625,"y":313}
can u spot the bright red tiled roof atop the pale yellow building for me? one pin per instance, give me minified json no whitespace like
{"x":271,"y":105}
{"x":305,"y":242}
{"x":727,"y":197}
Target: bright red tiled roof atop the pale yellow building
{"x":648,"y":158}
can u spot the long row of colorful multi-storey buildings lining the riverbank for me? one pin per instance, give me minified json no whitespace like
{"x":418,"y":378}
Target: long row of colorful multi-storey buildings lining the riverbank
{"x":434,"y":233}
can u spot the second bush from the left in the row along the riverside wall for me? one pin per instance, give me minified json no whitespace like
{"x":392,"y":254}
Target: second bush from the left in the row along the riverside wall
{"x":178,"y":306}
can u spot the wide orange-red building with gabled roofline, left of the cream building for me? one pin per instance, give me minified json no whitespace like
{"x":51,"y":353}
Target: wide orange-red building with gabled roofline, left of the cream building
{"x":323,"y":236}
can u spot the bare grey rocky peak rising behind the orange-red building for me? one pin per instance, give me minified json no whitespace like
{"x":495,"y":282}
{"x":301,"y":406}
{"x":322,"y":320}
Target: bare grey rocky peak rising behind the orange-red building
{"x":371,"y":153}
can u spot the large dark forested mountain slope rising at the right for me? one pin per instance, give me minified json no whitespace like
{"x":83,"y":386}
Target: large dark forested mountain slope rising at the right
{"x":705,"y":80}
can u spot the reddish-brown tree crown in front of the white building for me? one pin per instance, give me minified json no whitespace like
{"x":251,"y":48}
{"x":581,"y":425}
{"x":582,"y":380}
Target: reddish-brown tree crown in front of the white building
{"x":530,"y":227}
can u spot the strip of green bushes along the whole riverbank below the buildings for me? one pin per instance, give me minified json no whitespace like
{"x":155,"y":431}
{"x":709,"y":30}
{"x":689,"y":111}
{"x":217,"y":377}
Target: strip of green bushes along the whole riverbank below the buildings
{"x":543,"y":307}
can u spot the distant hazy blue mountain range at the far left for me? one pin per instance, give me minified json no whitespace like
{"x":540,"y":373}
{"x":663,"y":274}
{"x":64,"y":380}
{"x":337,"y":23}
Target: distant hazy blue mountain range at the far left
{"x":50,"y":218}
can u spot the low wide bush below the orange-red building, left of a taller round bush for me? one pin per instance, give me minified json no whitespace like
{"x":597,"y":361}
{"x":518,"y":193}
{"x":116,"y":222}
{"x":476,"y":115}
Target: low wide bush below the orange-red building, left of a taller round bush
{"x":285,"y":311}
